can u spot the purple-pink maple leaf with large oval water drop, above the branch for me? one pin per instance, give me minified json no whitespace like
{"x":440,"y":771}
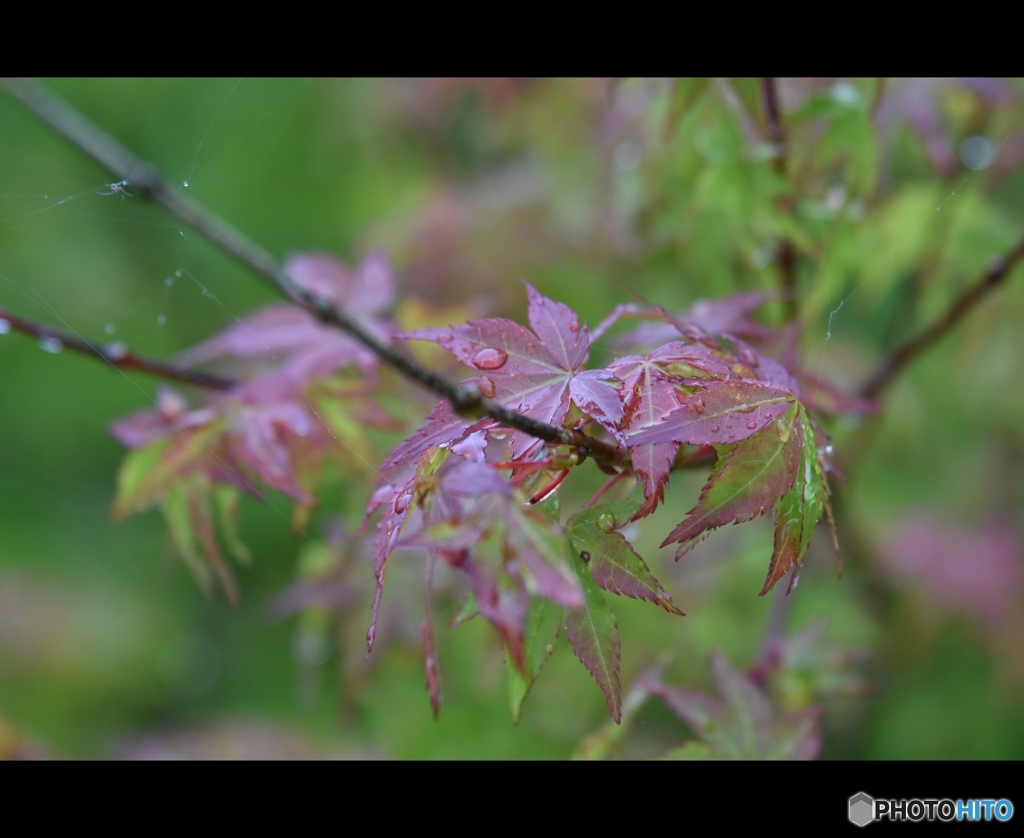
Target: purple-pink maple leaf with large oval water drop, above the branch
{"x":537,"y":373}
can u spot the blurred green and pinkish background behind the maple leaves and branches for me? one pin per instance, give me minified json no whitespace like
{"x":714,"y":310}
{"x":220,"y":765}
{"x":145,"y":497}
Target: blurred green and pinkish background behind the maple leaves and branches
{"x":895,"y":196}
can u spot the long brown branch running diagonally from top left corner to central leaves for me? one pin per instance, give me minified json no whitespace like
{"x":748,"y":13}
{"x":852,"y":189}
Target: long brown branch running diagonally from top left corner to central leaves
{"x":147,"y":181}
